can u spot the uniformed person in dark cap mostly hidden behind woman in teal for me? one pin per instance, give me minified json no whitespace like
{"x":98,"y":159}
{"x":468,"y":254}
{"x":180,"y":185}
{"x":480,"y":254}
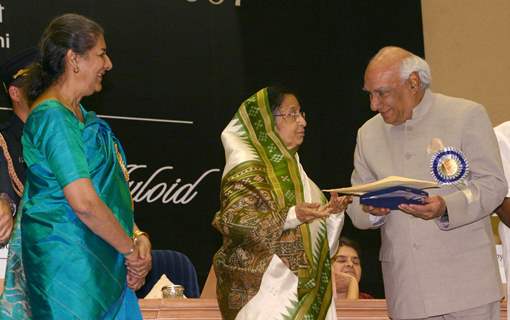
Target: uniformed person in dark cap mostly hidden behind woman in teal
{"x":12,"y":167}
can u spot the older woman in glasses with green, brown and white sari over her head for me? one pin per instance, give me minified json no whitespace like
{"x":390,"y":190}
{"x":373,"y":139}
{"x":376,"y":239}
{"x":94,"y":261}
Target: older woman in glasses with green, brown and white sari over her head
{"x":278,"y":229}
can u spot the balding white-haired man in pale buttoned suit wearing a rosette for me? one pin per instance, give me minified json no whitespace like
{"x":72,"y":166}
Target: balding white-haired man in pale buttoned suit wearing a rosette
{"x":438,"y":259}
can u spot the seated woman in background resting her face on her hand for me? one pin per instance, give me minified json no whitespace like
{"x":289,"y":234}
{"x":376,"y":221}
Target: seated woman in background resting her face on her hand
{"x":346,"y":267}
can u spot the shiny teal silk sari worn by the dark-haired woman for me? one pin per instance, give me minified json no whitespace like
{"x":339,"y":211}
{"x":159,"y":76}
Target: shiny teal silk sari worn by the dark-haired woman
{"x":57,"y":267}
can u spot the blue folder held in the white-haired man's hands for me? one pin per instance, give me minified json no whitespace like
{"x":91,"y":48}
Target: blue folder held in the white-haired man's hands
{"x":392,"y":197}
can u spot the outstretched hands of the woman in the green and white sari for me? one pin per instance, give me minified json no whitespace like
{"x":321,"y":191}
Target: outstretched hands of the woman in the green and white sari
{"x":307,"y":212}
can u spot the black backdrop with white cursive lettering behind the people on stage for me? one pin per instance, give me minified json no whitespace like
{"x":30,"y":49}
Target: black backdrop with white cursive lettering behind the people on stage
{"x":197,"y":60}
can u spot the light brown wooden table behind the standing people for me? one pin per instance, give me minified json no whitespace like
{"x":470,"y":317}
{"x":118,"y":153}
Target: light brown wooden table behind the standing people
{"x":207,"y":309}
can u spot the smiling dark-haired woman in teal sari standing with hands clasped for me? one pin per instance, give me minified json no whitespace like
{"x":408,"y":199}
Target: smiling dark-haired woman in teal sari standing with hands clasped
{"x":76,"y":252}
